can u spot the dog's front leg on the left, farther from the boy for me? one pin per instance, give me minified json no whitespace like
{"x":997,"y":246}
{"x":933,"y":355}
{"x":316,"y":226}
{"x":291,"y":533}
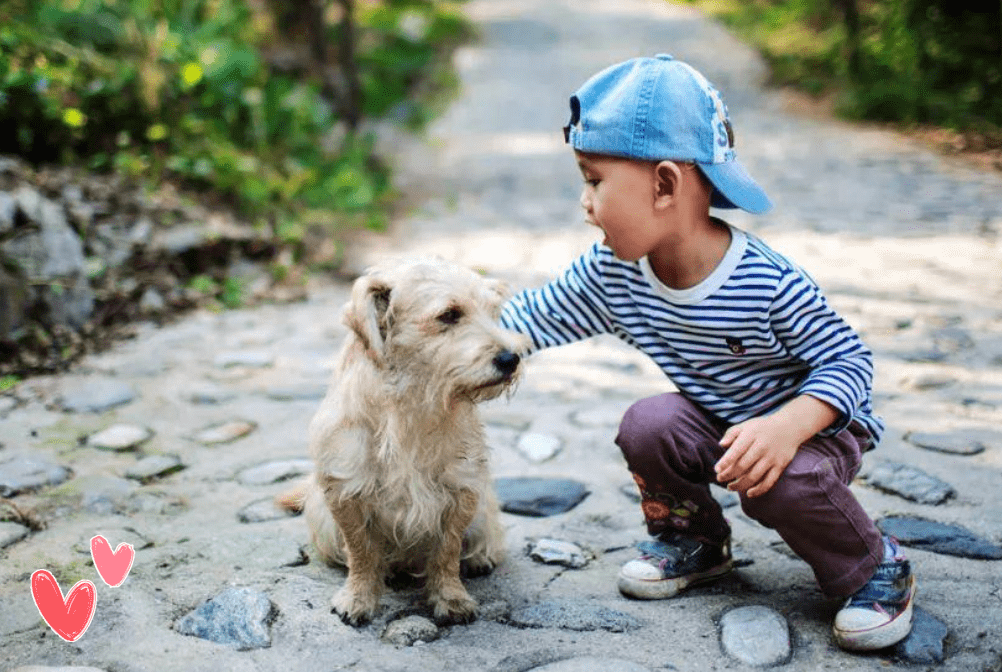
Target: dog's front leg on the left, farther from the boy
{"x":357,"y":600}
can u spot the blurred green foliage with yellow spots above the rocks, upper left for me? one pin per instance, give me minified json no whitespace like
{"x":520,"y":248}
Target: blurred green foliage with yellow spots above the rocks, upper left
{"x":190,"y":91}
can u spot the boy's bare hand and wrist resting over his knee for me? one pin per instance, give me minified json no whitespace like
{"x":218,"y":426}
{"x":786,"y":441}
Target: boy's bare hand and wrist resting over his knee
{"x":760,"y":449}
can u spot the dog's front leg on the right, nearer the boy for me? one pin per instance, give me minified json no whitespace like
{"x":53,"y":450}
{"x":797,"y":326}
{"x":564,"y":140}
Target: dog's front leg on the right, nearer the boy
{"x":448,"y":596}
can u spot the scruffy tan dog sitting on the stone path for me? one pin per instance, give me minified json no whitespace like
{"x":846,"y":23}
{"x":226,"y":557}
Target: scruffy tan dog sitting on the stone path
{"x":402,"y":480}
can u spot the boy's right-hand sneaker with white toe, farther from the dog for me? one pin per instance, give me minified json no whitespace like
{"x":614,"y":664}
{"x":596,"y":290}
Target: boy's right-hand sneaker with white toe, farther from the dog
{"x":880,"y":614}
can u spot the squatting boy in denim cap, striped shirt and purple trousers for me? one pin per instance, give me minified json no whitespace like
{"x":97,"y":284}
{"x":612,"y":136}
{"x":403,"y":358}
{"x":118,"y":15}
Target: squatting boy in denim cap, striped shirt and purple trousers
{"x":775,"y":388}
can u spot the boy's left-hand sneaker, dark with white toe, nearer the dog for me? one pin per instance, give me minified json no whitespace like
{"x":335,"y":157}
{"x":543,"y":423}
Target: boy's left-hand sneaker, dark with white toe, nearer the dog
{"x":673,"y":563}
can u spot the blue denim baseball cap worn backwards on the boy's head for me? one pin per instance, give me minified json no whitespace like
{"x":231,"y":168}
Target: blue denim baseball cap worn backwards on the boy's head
{"x":662,"y":109}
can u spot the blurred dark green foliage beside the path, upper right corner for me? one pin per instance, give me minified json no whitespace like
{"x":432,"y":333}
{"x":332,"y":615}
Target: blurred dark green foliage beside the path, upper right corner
{"x":927,"y":62}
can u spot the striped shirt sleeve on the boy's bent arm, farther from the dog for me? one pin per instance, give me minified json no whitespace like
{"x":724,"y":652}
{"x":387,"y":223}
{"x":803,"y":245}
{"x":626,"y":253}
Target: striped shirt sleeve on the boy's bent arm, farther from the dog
{"x":841,"y":365}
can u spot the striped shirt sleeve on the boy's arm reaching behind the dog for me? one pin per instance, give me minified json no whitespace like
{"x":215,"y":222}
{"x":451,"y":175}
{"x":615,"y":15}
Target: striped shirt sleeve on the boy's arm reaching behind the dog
{"x":571,"y":308}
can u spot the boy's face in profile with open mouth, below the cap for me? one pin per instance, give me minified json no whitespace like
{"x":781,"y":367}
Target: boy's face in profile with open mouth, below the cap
{"x":619,"y":198}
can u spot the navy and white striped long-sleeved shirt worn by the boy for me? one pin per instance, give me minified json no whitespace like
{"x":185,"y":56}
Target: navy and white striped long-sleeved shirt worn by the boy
{"x":755,"y":334}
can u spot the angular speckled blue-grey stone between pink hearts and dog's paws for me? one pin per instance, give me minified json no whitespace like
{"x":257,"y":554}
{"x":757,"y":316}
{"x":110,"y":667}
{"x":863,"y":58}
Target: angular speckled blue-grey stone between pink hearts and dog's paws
{"x":237,"y":617}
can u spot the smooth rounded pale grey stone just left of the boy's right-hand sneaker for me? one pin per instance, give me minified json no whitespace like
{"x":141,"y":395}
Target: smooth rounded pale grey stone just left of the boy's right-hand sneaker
{"x":756,"y":635}
